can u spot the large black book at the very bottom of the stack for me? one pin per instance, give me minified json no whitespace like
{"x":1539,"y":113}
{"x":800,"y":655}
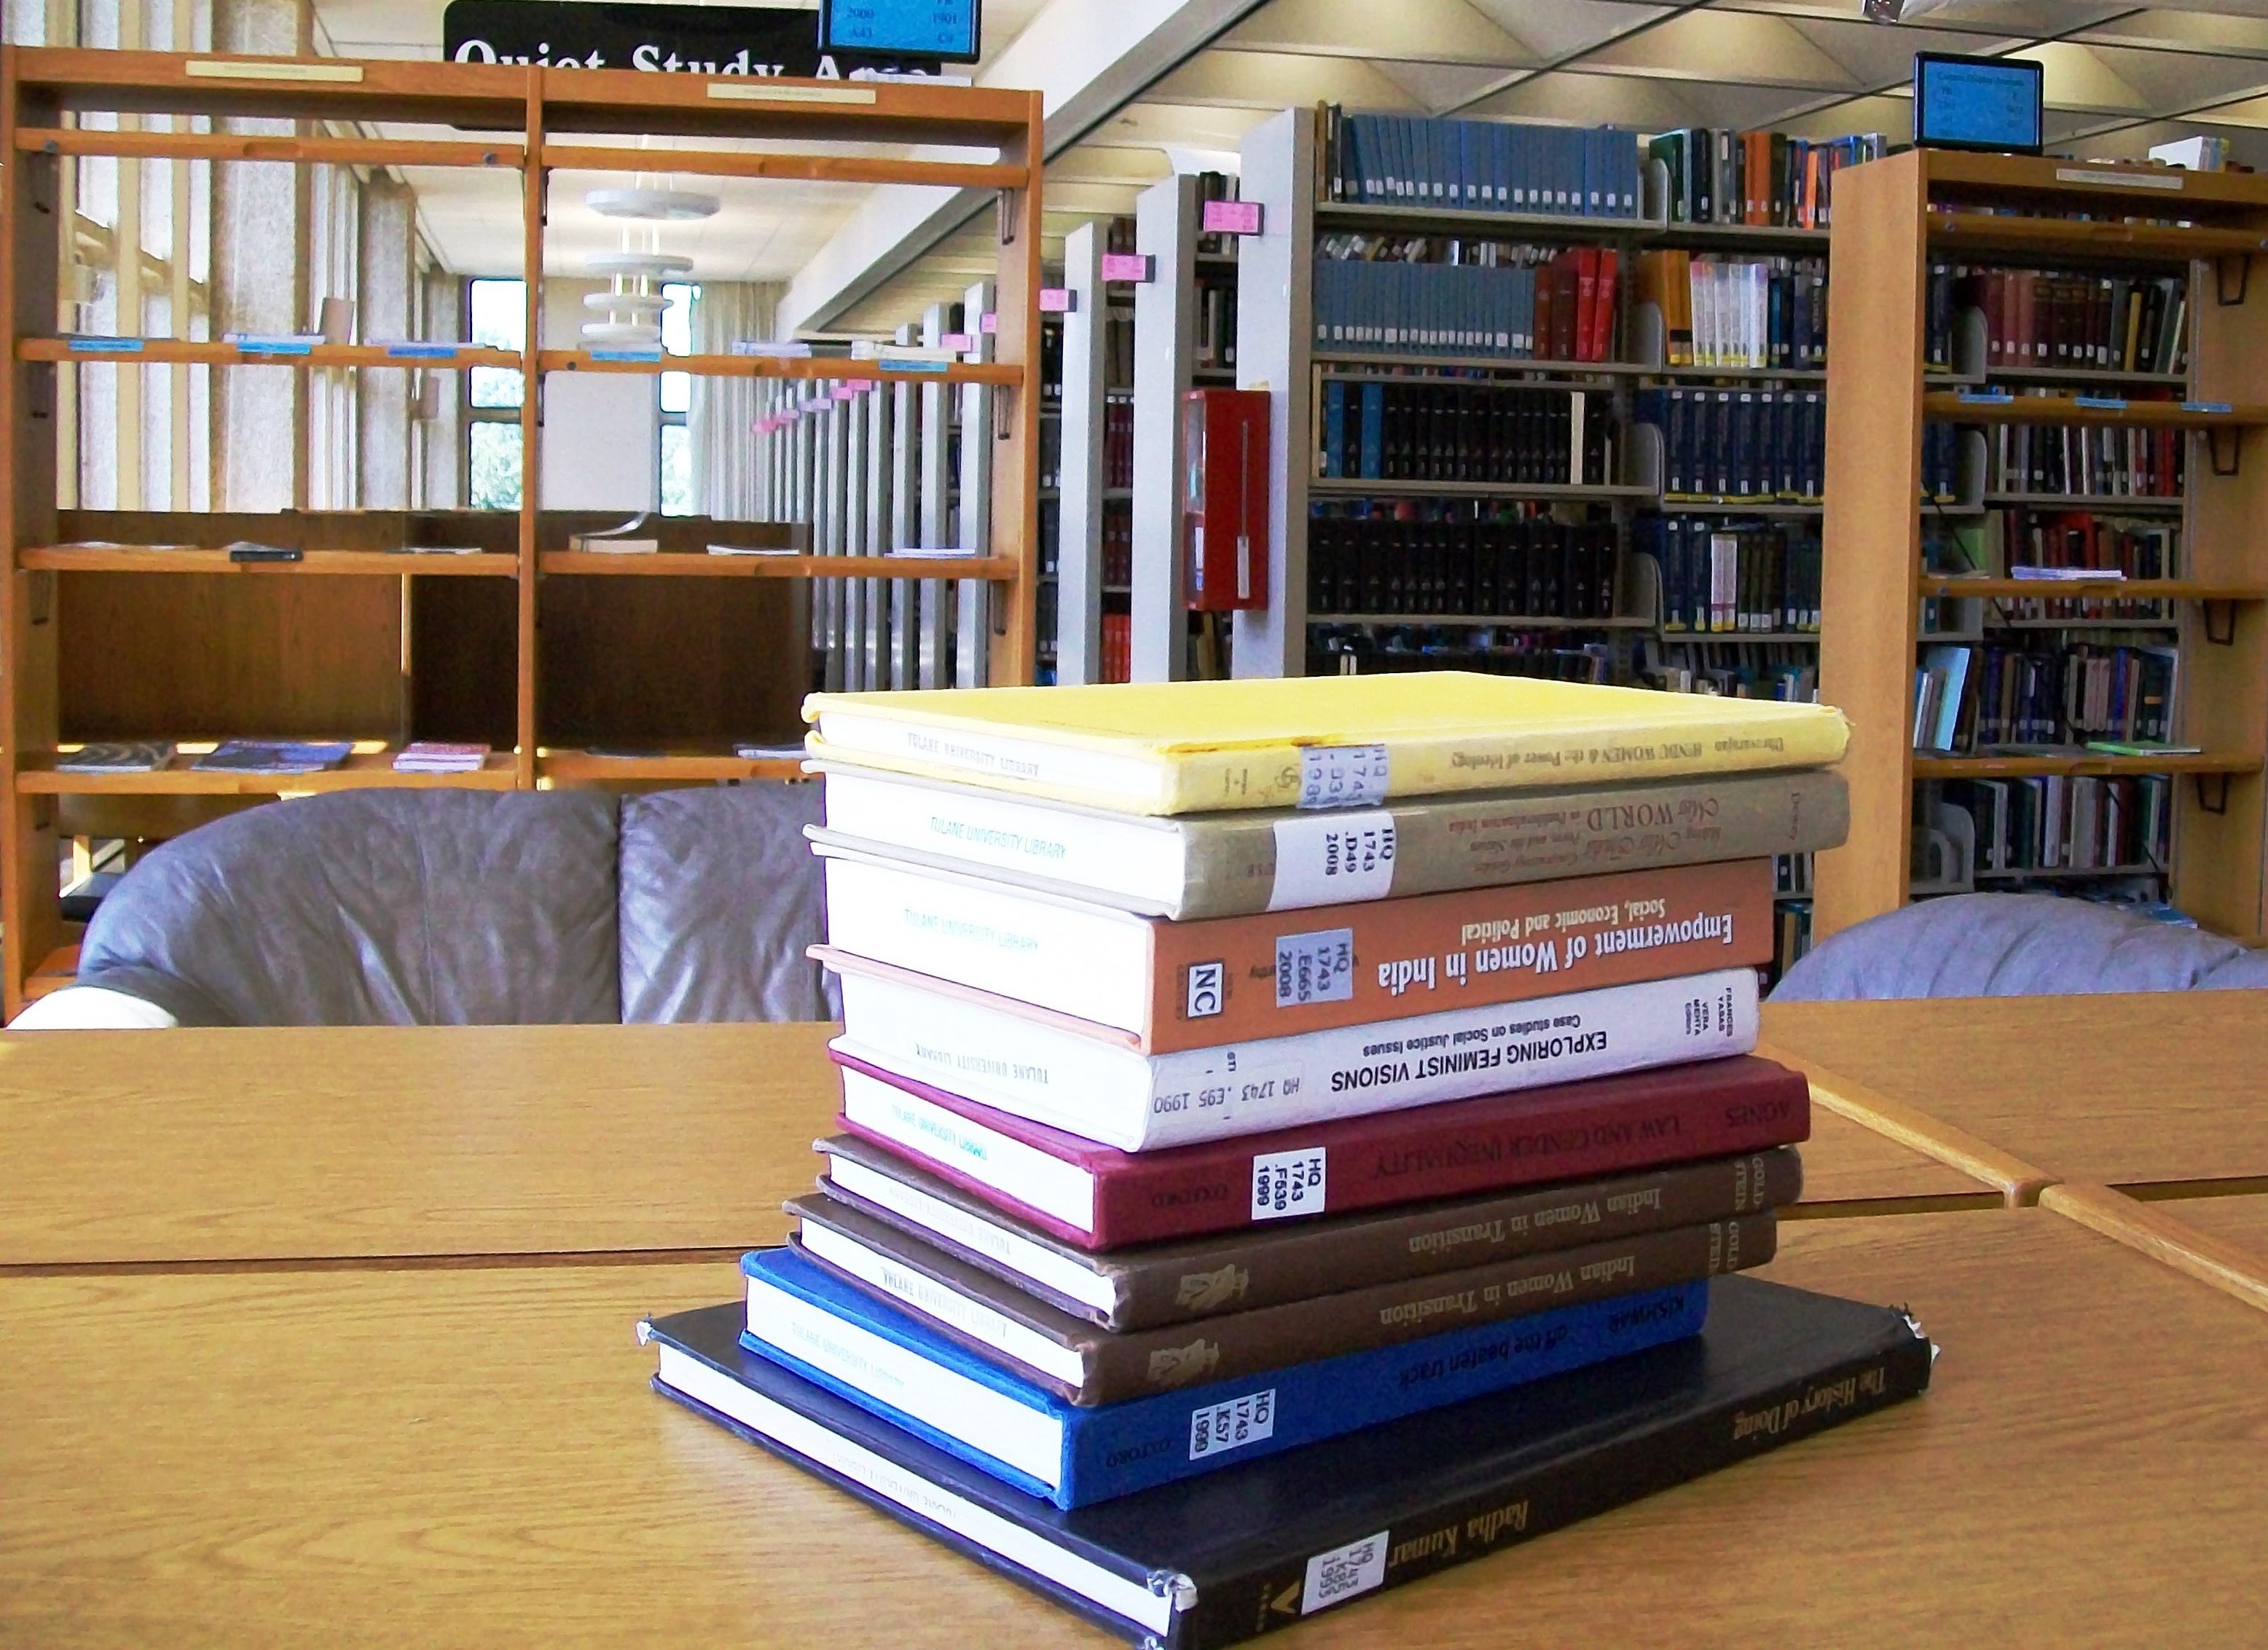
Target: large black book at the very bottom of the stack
{"x":1235,"y":1554}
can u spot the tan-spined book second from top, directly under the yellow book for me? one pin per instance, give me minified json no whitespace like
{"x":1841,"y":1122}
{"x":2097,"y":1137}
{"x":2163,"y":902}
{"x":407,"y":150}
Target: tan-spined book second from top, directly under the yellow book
{"x":1246,"y":862}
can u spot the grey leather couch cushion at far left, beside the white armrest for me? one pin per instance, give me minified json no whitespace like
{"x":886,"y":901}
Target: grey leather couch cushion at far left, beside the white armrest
{"x":373,"y":908}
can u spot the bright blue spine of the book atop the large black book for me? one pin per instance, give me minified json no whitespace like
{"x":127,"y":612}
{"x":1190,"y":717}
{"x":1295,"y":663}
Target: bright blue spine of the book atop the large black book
{"x":1146,"y":1443}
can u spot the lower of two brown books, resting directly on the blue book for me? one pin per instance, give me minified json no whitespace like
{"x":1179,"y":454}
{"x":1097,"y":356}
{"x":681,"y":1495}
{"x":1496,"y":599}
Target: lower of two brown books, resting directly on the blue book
{"x":1092,"y":1366}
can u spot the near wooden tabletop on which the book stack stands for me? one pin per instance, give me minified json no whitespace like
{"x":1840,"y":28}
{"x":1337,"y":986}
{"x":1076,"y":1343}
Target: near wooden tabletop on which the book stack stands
{"x":468,"y":1456}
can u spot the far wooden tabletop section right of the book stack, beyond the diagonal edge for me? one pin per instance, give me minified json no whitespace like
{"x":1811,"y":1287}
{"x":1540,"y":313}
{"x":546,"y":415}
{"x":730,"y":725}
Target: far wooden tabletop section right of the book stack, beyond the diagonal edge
{"x":2165,"y":1094}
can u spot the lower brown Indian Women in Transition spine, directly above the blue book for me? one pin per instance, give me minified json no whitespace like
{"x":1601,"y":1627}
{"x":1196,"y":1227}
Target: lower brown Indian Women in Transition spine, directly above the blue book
{"x":1137,"y":1366}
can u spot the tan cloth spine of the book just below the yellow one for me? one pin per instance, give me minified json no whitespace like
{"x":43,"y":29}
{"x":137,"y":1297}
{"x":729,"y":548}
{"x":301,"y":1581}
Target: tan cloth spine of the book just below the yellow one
{"x":1507,"y":840}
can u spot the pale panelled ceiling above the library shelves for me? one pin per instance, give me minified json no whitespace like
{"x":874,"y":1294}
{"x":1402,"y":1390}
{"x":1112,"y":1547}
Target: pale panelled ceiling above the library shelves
{"x":2119,"y":78}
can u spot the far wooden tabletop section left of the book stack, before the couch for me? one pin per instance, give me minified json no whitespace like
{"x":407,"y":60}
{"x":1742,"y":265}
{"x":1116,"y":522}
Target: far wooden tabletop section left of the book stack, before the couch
{"x":387,"y":1141}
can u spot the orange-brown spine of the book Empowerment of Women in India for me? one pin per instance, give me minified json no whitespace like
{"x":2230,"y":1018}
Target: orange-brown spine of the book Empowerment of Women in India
{"x":1271,"y":976}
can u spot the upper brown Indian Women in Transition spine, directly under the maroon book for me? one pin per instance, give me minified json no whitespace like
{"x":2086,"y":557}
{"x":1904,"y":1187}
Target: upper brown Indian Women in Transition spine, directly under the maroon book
{"x":1267,"y":1268}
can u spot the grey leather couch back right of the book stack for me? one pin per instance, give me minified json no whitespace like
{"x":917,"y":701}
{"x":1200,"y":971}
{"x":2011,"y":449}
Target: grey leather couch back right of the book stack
{"x":2011,"y":946}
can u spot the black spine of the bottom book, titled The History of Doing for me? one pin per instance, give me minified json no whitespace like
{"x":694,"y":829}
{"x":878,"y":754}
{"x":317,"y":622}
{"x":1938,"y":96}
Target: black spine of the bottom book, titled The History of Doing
{"x":1550,"y":1497}
